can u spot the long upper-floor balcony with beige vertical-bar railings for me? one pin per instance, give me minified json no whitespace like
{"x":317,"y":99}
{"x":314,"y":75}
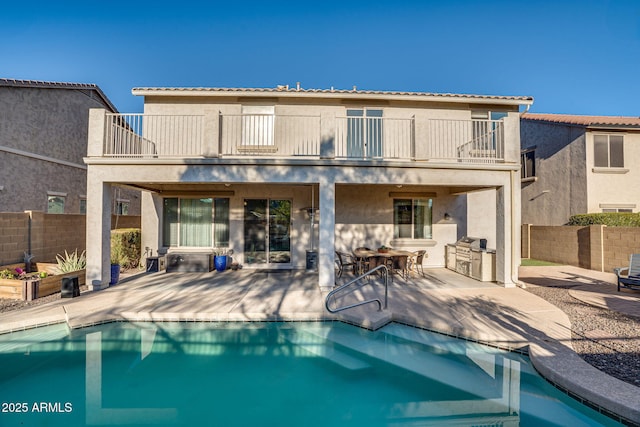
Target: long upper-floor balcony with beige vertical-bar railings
{"x":297,"y":136}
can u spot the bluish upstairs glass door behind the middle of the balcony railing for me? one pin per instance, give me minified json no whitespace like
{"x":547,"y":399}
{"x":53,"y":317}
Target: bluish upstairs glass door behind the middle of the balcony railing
{"x":364,"y":133}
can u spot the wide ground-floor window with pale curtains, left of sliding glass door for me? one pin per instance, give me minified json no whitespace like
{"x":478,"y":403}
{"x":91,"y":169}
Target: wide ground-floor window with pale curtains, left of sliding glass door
{"x":196,"y":222}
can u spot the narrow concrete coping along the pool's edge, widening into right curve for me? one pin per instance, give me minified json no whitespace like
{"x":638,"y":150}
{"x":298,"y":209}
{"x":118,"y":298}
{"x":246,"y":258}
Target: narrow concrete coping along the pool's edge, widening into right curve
{"x":558,"y":364}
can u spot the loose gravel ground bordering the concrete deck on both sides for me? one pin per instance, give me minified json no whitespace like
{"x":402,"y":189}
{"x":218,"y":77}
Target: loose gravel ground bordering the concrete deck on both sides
{"x":607,"y":340}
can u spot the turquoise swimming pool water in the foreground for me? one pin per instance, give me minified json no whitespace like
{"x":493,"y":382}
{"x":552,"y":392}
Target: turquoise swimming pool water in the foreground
{"x":270,"y":374}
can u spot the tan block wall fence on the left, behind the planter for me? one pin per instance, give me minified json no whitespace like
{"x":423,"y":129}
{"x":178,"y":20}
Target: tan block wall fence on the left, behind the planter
{"x":46,"y":235}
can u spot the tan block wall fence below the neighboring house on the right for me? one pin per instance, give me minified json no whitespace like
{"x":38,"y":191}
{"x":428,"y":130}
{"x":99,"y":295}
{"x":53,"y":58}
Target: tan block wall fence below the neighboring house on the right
{"x":595,"y":247}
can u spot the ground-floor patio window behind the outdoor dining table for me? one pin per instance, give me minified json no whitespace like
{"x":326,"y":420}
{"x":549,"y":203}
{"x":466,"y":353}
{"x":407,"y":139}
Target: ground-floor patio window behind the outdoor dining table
{"x":412,"y":218}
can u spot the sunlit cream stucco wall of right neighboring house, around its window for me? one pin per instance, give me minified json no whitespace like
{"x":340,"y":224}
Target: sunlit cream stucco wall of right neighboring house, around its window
{"x":614,"y":187}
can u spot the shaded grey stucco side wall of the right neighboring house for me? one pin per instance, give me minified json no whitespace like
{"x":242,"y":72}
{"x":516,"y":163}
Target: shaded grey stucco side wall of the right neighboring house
{"x":560,"y":188}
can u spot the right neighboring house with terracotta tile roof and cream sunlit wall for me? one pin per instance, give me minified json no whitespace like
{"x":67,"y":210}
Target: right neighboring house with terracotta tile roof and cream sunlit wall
{"x":578,"y":164}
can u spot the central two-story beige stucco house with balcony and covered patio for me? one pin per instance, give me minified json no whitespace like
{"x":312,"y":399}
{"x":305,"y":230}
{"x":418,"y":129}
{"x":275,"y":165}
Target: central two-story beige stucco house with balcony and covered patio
{"x":279,"y":174}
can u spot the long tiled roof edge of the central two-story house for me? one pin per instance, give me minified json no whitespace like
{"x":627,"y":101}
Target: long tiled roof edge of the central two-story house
{"x":286,"y":92}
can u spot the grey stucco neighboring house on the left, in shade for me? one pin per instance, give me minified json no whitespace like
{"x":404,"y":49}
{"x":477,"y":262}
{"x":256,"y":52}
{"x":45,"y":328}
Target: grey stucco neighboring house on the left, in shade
{"x":43,"y":140}
